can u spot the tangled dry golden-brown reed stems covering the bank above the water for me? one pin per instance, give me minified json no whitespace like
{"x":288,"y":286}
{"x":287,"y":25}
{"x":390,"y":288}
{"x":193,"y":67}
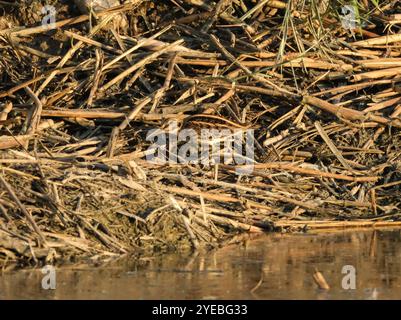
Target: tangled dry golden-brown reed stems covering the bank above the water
{"x":77,"y":99}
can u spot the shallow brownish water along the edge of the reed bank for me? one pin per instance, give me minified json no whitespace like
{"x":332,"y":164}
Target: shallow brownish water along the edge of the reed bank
{"x":274,"y":266}
